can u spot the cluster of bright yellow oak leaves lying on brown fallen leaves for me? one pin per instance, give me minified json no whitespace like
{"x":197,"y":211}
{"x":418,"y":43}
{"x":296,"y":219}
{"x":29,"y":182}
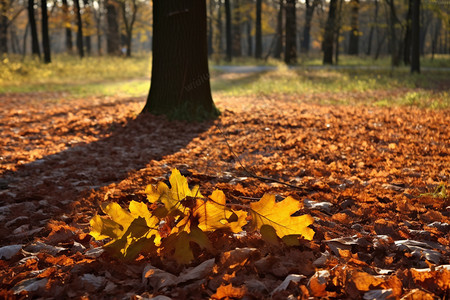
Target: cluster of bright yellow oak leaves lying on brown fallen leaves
{"x":177,"y":216}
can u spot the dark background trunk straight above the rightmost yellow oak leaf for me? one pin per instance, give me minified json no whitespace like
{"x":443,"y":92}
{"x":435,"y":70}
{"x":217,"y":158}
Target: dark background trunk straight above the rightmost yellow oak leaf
{"x":290,"y":55}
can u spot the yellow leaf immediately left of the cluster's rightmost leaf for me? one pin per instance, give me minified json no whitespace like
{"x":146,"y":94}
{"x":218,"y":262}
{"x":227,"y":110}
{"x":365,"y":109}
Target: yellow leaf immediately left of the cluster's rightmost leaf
{"x":213,"y":214}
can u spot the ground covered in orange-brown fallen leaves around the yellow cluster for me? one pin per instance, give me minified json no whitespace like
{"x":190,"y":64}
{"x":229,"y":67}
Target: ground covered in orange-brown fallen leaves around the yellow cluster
{"x":374,"y":179}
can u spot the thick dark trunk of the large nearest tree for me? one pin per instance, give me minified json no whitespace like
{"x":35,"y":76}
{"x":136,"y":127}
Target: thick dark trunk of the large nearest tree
{"x":180,"y":85}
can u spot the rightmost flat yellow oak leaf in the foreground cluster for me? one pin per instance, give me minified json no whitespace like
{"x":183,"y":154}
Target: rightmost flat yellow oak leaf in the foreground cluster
{"x":278,"y":215}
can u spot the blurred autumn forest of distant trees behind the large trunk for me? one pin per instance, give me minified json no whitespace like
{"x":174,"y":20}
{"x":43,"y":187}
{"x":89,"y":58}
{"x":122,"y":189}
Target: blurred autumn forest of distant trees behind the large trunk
{"x":289,"y":30}
